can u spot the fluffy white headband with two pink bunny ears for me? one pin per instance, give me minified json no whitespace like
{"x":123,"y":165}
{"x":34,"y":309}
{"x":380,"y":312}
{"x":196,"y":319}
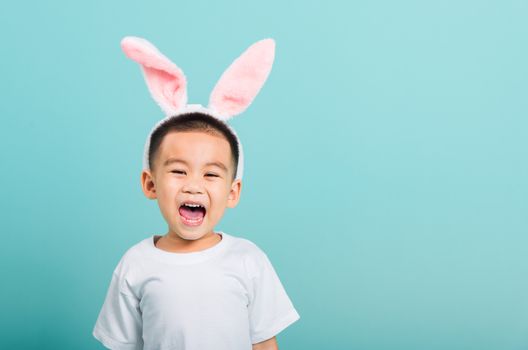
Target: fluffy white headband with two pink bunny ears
{"x":233,"y":93}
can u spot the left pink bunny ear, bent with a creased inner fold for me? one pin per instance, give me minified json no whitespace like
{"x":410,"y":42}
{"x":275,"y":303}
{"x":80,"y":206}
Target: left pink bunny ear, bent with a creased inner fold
{"x":165,"y":80}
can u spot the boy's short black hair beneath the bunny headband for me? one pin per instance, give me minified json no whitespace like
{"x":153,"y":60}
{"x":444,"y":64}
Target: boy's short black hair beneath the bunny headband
{"x":194,"y":121}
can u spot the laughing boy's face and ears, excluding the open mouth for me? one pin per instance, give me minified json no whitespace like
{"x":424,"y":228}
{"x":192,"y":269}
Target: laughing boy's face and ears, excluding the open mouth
{"x":192,"y":179}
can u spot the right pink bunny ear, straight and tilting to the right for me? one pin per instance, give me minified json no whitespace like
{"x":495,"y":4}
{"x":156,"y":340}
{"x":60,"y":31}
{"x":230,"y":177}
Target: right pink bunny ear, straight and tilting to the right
{"x":242,"y":81}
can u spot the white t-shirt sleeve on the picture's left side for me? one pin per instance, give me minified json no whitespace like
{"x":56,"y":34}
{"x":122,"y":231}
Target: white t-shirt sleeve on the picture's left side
{"x":119,"y":324}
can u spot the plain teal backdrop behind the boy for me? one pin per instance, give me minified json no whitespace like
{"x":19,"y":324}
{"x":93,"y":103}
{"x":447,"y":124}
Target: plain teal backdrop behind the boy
{"x":386,"y":163}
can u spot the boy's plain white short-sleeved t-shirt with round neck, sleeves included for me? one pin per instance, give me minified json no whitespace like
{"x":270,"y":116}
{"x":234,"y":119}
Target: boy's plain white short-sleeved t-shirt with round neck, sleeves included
{"x":227,"y":297}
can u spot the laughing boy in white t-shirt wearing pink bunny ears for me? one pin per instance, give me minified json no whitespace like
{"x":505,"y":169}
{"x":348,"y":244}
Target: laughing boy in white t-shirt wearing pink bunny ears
{"x":194,"y":288}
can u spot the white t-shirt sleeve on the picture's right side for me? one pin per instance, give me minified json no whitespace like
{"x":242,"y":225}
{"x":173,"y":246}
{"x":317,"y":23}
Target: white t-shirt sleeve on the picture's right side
{"x":270,"y":308}
